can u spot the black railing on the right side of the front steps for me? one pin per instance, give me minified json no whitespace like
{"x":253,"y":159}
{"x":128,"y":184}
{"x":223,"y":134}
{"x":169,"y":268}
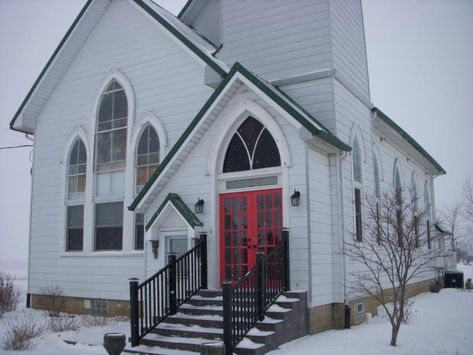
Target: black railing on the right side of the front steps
{"x":246,"y":301}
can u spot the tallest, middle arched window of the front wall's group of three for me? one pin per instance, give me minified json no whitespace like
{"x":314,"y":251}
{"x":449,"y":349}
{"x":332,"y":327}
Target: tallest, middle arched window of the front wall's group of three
{"x":110,"y":162}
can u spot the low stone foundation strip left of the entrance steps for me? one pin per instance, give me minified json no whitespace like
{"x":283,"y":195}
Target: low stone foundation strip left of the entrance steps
{"x":78,"y":305}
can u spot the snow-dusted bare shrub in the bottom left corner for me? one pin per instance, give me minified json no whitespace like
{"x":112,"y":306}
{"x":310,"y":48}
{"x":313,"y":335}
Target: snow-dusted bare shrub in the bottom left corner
{"x":20,"y":333}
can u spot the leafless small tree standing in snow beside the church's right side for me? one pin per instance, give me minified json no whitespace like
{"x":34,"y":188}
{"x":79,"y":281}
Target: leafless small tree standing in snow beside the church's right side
{"x":394,"y":252}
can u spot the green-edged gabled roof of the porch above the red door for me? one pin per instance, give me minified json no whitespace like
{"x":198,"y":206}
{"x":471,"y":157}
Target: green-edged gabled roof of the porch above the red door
{"x":304,"y":118}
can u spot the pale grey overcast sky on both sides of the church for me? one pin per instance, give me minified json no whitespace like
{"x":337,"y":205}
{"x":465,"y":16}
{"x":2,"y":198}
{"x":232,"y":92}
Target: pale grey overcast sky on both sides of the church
{"x":420,"y":57}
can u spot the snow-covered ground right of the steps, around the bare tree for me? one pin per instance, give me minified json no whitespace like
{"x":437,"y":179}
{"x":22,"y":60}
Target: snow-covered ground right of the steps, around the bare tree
{"x":442,"y":324}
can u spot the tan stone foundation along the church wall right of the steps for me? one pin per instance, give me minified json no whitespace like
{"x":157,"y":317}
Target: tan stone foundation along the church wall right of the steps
{"x":332,"y":316}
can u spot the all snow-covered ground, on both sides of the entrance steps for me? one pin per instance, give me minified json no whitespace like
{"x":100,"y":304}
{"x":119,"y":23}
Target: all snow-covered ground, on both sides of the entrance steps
{"x":442,"y":324}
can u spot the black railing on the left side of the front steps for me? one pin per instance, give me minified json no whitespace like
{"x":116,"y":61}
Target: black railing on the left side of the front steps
{"x":160,"y":295}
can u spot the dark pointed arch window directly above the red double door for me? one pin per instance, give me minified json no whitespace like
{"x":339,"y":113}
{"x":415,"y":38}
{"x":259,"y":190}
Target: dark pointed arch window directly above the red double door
{"x":251,"y":147}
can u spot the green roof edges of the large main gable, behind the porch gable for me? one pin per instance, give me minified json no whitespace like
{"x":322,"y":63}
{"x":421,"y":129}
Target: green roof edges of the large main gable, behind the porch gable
{"x":206,"y":57}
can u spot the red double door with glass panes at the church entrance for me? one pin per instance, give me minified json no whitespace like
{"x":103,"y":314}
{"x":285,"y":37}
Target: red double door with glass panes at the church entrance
{"x":249,"y":221}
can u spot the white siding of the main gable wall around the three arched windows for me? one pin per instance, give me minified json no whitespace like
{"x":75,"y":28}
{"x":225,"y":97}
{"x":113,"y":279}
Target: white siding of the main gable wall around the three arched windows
{"x":133,"y":43}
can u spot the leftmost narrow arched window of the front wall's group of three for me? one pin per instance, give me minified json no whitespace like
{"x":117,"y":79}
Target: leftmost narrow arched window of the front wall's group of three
{"x":76,"y":178}
